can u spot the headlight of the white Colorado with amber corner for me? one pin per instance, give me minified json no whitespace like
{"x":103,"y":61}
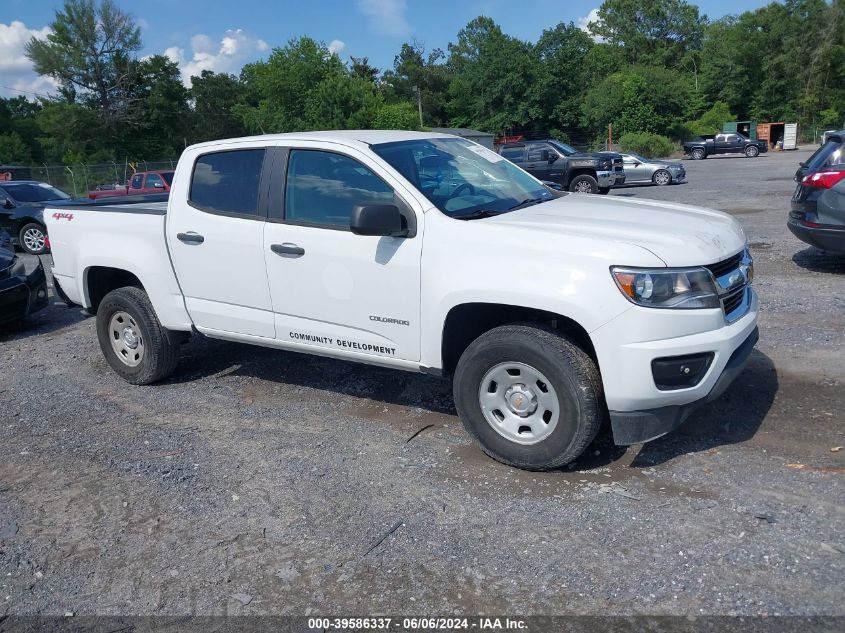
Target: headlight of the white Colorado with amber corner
{"x":679,"y":288}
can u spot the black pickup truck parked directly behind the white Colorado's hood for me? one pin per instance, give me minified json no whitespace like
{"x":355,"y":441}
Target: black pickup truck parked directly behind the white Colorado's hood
{"x":580,"y":172}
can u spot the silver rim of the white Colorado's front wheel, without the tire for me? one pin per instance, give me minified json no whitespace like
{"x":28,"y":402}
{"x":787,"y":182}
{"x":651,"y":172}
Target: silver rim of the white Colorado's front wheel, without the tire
{"x":519,"y":402}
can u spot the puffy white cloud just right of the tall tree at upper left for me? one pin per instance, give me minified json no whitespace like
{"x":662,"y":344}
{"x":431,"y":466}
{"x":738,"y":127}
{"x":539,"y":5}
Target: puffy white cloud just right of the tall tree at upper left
{"x":227,"y":55}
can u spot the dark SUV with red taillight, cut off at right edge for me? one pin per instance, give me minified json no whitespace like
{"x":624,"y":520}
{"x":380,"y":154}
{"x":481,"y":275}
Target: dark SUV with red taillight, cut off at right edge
{"x":818,"y":204}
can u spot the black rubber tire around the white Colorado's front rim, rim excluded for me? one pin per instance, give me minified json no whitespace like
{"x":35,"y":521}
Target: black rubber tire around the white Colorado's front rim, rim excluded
{"x":572,"y":374}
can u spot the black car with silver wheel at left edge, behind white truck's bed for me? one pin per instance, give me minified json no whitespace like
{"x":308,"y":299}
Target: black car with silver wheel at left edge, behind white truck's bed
{"x":21,"y":212}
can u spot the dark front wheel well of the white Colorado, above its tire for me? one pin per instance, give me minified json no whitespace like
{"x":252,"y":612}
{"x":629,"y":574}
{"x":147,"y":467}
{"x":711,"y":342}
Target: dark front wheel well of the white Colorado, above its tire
{"x":465,"y":322}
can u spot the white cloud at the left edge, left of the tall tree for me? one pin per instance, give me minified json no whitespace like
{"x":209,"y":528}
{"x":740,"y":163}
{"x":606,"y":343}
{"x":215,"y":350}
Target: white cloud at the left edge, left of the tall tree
{"x":16,"y":71}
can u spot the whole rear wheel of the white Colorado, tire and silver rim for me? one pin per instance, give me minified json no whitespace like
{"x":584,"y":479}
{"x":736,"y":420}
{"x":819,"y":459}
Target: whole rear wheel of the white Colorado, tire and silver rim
{"x":132,"y":338}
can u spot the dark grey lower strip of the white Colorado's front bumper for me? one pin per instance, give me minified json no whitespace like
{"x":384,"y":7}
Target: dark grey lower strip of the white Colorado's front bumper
{"x":634,"y":427}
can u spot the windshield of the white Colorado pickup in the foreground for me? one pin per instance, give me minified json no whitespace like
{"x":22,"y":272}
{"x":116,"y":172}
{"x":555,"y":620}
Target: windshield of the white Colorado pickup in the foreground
{"x":463,"y":179}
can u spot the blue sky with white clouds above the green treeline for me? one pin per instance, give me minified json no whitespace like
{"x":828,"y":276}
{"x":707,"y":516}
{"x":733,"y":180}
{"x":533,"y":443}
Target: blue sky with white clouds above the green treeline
{"x":223,"y":36}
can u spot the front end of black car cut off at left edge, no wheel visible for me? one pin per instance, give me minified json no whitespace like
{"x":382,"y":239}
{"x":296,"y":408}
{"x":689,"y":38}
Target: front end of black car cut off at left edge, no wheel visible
{"x":23,"y":286}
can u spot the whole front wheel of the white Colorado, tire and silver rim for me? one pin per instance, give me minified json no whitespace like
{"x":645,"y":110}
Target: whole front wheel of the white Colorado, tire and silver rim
{"x":529,"y":396}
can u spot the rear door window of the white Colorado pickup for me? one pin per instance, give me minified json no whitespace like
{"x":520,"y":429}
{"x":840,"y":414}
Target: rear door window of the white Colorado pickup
{"x":227,"y":182}
